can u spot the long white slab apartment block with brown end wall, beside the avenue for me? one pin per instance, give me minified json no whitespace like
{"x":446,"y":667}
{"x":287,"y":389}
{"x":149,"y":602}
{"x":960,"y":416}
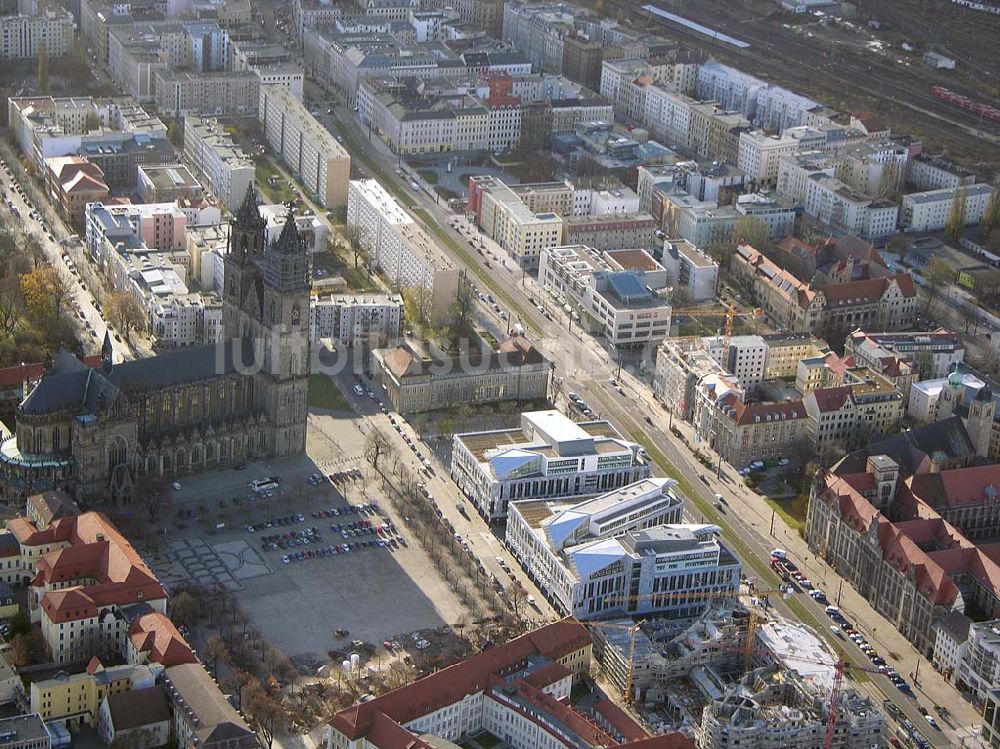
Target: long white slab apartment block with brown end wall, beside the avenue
{"x":397,"y":245}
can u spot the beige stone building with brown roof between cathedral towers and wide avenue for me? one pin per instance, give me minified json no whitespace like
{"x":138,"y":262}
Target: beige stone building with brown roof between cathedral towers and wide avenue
{"x":516,"y":371}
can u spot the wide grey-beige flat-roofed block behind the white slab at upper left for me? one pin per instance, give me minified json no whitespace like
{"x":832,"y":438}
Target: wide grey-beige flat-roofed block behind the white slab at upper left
{"x":220,"y":93}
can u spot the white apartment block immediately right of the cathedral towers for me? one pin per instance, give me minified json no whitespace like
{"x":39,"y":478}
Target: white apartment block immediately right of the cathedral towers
{"x":356,"y":319}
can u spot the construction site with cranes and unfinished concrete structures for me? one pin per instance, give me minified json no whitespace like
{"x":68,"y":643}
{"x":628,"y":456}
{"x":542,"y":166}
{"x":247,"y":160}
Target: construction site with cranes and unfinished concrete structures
{"x":739,"y":676}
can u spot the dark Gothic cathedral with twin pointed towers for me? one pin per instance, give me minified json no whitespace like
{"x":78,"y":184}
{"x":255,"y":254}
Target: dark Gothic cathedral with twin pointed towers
{"x":96,"y":433}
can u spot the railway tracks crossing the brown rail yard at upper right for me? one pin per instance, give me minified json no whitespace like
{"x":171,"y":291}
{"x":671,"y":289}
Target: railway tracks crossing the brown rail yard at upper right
{"x":794,"y":62}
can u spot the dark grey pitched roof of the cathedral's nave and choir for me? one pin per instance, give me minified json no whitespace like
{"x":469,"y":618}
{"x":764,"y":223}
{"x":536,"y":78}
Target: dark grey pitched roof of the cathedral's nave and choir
{"x":86,"y":388}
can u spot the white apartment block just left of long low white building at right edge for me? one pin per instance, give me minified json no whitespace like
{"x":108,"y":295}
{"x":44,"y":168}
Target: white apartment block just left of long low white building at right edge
{"x":843,"y":208}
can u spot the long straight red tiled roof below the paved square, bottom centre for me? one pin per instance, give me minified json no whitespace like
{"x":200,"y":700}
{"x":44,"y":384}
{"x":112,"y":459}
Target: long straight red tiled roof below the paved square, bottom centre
{"x":472,"y":675}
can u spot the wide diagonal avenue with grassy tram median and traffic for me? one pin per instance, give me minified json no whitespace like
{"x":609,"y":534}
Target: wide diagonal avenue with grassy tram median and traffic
{"x":584,"y":366}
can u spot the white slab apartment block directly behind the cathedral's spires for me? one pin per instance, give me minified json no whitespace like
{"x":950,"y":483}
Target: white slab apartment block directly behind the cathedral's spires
{"x":224,"y":165}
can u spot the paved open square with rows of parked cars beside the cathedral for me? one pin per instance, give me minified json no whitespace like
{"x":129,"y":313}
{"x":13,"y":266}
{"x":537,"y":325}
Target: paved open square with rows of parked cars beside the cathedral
{"x":350,"y":563}
